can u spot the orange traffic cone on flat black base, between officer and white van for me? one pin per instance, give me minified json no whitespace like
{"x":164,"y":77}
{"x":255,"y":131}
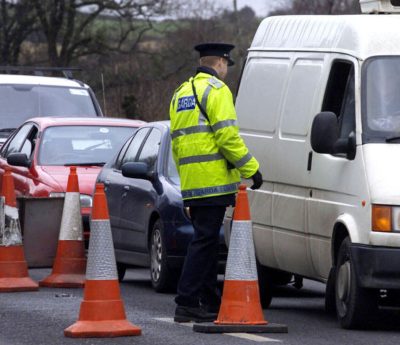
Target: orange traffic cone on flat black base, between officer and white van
{"x":240,"y":309}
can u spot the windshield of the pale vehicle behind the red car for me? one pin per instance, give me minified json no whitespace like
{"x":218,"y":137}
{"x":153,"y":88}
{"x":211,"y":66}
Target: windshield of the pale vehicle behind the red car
{"x":20,"y":102}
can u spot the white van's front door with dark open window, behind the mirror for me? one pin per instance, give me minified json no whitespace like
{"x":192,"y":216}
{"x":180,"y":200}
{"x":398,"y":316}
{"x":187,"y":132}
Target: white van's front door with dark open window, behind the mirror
{"x":337,"y":184}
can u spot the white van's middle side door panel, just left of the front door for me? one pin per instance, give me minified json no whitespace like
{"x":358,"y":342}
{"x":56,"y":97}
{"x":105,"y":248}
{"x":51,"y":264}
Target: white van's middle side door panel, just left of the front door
{"x":289,"y":212}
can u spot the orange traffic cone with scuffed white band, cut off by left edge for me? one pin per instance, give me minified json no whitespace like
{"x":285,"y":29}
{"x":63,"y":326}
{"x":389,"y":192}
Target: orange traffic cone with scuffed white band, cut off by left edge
{"x":13,"y":267}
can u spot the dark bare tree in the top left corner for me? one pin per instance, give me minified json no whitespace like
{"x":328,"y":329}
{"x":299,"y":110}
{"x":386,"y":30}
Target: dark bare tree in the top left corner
{"x":17,"y":22}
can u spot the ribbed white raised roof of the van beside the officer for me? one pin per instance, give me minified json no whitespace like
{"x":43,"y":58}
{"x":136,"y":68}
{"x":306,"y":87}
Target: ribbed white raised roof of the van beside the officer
{"x":362,"y":35}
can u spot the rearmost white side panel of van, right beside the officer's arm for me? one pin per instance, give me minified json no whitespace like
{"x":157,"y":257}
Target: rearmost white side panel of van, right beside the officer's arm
{"x":258,"y":106}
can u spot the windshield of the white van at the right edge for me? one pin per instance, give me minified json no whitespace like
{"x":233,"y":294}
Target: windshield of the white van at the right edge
{"x":381,"y":99}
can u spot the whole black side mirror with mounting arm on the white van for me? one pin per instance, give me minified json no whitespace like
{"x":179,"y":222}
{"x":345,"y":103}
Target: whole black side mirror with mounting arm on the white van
{"x":325,"y":136}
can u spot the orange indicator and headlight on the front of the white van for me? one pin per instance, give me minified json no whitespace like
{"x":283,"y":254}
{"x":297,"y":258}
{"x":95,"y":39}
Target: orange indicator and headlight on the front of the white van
{"x":385,"y":218}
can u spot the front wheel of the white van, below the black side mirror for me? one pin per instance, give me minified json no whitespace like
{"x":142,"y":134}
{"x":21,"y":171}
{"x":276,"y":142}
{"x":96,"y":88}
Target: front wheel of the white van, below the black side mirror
{"x":356,"y":306}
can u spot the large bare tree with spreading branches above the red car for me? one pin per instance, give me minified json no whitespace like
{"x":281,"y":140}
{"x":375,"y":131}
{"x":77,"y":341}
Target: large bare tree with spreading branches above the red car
{"x":72,"y":27}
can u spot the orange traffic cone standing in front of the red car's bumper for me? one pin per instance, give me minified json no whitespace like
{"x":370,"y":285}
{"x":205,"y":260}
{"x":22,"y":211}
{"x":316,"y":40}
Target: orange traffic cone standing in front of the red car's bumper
{"x":70,"y":262}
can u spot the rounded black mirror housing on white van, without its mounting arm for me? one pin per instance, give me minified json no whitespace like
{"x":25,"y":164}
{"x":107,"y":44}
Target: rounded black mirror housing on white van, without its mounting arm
{"x":324,"y":132}
